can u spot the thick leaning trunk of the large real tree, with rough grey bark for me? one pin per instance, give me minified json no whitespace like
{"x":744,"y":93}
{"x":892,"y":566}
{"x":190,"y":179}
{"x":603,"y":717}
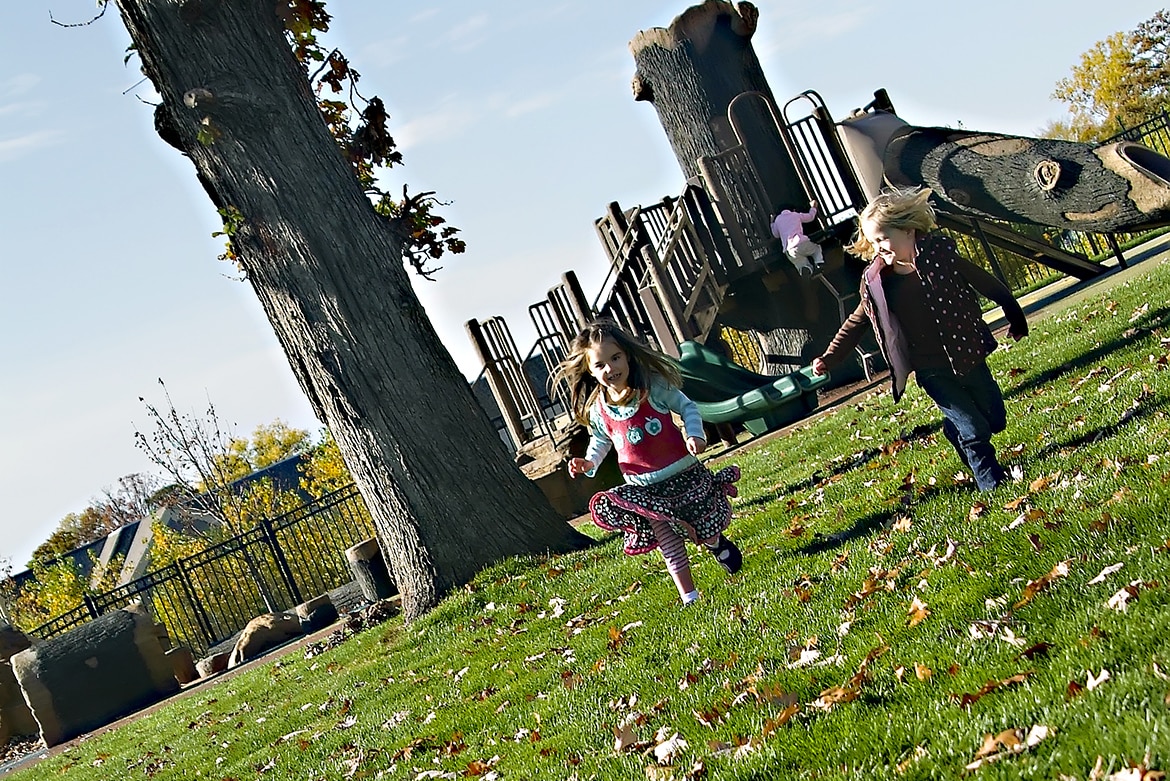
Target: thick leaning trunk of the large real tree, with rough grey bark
{"x":329,"y":274}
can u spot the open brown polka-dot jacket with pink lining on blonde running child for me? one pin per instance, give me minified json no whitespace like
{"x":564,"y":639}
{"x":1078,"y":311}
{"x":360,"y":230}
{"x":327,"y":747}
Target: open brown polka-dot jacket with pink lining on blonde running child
{"x":949,"y":284}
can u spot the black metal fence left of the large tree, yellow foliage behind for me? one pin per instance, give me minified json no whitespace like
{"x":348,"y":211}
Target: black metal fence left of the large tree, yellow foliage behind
{"x":207,"y":598}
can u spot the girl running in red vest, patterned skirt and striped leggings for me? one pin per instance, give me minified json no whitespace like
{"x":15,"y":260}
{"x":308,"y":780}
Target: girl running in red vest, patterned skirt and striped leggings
{"x":625,"y":392}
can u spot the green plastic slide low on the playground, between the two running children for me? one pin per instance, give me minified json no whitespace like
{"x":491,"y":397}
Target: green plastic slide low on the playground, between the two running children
{"x":728,"y":393}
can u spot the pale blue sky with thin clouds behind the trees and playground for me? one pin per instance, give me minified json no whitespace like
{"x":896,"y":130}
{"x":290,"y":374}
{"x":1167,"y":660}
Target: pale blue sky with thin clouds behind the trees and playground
{"x":519,"y":114}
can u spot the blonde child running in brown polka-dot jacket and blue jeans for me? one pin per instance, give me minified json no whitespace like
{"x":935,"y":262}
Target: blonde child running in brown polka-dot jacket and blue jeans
{"x":918,"y":295}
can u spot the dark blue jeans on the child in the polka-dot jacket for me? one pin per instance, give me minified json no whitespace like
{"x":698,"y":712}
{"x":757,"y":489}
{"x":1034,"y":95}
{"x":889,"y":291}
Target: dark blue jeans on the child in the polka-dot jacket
{"x":974,"y":410}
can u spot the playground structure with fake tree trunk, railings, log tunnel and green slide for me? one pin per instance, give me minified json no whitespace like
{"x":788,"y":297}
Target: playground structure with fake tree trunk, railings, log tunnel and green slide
{"x":700,"y":277}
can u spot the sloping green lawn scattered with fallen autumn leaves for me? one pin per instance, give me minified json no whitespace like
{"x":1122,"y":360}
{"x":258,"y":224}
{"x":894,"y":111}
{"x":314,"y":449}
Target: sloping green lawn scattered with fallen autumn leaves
{"x":845,"y":523}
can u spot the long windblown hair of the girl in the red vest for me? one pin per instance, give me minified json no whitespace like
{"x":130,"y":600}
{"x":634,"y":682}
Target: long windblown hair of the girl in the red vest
{"x":583,"y":389}
